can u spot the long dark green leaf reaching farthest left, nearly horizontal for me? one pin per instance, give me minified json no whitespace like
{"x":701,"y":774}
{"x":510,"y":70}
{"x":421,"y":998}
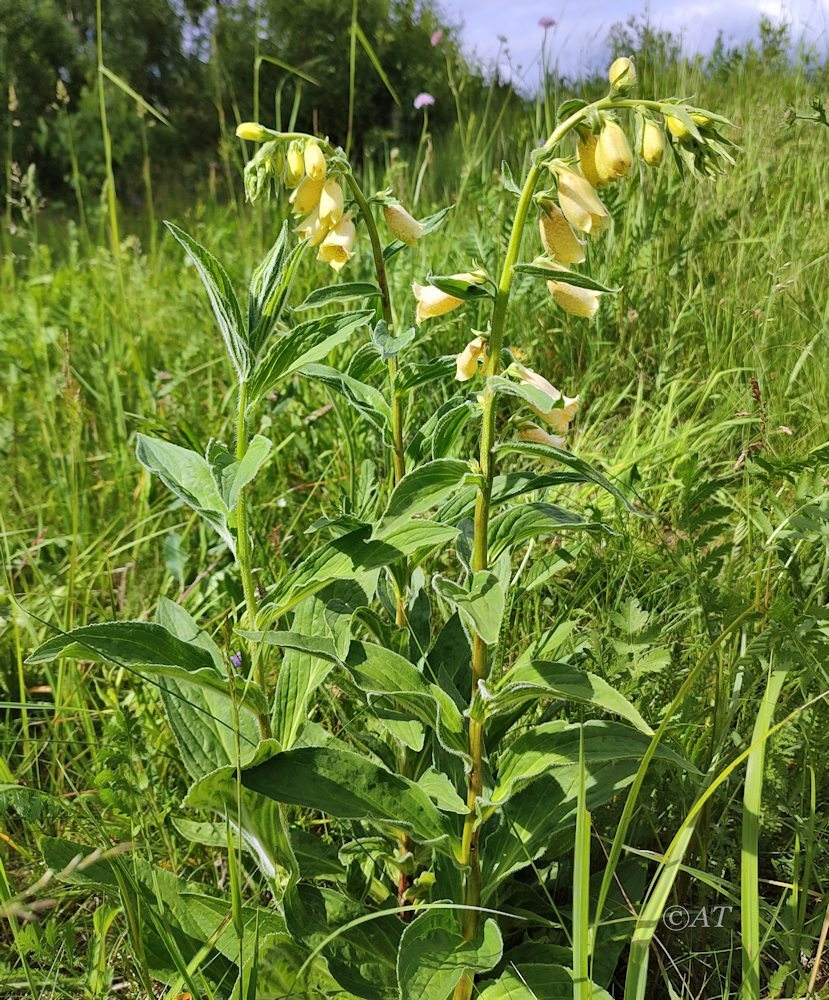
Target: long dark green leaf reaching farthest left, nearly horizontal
{"x":149,"y":647}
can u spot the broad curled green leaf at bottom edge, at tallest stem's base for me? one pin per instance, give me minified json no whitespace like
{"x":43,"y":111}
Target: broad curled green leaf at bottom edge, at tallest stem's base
{"x":434,"y":955}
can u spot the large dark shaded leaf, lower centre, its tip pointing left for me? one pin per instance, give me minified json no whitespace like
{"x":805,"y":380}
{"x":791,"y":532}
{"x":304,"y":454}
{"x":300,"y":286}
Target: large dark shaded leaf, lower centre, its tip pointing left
{"x":347,"y":785}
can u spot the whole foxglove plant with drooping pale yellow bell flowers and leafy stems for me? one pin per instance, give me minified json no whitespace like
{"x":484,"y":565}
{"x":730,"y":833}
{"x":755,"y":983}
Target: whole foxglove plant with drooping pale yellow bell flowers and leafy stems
{"x":448,"y":785}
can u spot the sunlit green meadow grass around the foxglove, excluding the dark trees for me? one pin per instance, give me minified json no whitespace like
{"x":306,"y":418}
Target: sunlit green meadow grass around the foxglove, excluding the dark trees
{"x":704,"y":392}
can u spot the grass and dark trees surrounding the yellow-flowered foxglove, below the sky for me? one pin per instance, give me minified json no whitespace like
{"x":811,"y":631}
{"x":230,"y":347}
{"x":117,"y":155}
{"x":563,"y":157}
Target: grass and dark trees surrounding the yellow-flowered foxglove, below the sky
{"x":704,"y":389}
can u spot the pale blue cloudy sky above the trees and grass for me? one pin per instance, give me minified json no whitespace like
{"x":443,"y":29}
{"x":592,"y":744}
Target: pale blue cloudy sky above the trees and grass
{"x":582,"y":25}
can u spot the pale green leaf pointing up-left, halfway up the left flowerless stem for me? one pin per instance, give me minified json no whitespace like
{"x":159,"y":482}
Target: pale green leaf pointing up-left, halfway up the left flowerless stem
{"x":189,"y":475}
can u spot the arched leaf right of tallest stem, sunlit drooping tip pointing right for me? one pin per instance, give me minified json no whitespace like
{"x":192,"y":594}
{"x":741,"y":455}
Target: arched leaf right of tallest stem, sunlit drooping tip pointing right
{"x":546,"y":679}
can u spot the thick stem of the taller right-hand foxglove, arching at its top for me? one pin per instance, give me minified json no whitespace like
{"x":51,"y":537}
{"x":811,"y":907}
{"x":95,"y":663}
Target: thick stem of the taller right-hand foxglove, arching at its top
{"x":470,"y":843}
